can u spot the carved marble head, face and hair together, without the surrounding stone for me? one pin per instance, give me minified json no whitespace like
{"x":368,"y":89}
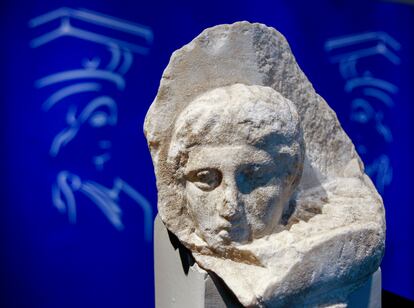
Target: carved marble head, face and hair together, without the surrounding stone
{"x":238,"y":154}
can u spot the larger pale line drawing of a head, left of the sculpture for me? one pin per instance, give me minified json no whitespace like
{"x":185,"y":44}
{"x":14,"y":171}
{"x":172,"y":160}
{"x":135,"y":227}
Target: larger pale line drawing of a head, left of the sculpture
{"x":121,"y":39}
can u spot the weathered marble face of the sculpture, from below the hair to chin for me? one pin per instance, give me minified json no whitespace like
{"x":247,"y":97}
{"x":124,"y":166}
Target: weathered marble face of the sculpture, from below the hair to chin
{"x":235,"y":193}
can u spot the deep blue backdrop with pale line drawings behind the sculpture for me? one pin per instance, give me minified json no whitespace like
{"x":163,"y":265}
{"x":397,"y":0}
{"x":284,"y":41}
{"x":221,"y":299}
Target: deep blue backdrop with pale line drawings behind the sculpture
{"x":78,"y":189}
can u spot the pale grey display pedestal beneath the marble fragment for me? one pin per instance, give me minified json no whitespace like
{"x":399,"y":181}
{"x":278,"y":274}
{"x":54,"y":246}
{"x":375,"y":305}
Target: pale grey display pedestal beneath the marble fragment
{"x":180,"y":283}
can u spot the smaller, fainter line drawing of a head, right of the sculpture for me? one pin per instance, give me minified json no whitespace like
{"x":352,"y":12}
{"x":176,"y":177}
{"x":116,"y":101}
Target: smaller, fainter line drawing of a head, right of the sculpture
{"x":372,"y":97}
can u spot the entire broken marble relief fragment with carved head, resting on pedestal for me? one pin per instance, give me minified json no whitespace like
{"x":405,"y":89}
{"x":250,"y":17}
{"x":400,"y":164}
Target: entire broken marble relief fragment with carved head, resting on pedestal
{"x":256,"y":176}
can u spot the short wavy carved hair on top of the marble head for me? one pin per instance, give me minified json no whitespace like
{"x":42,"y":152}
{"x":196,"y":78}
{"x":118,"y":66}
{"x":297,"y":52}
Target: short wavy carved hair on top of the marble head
{"x":237,"y":113}
